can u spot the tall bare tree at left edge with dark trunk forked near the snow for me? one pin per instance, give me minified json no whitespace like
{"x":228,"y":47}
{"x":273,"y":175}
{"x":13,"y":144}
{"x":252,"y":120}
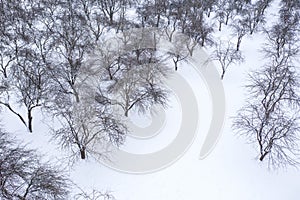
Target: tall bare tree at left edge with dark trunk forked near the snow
{"x":23,"y":61}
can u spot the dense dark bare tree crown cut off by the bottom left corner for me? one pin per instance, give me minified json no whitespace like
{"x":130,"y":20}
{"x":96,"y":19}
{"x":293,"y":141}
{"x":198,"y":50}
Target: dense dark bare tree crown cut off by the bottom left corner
{"x":23,"y":176}
